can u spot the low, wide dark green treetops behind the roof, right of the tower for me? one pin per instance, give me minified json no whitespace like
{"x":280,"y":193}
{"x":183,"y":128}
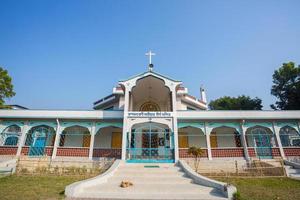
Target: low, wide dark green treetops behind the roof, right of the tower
{"x":236,"y":103}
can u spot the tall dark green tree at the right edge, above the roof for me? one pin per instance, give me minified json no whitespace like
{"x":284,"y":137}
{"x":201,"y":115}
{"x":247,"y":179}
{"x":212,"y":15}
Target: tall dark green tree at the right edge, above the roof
{"x":286,"y":87}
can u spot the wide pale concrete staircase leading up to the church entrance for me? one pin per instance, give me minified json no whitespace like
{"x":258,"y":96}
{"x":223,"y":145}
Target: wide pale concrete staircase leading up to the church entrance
{"x":150,"y":181}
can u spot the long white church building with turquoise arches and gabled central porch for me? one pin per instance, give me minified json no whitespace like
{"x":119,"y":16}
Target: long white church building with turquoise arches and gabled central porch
{"x":150,"y":118}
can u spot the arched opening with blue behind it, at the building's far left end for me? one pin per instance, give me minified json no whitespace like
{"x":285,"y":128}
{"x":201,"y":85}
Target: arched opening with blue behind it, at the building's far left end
{"x":10,"y":135}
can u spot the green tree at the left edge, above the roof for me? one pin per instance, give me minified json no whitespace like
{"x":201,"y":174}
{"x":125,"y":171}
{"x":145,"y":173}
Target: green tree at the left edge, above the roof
{"x":6,"y":87}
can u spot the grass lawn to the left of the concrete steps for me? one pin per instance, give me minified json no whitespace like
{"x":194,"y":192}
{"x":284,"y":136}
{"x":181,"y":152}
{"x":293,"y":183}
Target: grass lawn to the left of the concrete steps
{"x":34,"y":187}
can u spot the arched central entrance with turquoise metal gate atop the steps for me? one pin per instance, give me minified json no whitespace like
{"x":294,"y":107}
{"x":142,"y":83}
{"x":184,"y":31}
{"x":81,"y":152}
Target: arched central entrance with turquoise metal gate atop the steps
{"x":150,"y":142}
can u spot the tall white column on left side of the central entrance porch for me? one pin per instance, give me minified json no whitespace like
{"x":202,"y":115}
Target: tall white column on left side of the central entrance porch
{"x":124,"y":136}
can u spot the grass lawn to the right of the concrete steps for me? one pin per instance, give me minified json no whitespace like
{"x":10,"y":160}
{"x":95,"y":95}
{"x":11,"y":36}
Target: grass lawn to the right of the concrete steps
{"x":266,"y":188}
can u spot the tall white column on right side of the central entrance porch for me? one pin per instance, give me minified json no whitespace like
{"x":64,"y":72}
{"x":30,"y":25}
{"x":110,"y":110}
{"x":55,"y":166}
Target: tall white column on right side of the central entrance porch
{"x":175,"y":127}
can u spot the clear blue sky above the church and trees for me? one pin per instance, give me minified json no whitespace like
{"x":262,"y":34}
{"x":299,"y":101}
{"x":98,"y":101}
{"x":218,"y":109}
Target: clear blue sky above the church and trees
{"x":67,"y":54}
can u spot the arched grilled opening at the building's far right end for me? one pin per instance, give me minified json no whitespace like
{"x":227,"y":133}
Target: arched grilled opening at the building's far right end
{"x":289,"y":137}
